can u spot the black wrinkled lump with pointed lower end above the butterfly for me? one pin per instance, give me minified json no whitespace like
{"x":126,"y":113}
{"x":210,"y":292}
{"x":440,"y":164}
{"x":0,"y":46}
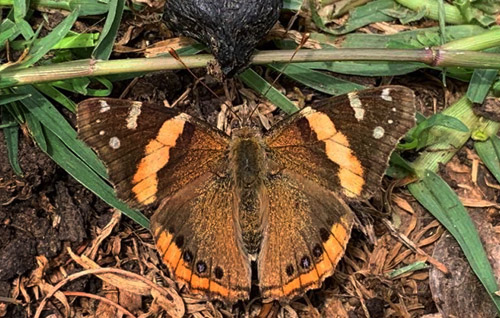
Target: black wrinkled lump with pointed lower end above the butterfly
{"x":229,"y":28}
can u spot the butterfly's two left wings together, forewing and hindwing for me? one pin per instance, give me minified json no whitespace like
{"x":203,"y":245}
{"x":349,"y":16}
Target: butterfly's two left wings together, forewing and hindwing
{"x":155,"y":154}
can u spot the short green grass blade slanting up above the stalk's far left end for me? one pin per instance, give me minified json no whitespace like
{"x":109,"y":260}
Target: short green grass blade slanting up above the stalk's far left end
{"x":40,"y":48}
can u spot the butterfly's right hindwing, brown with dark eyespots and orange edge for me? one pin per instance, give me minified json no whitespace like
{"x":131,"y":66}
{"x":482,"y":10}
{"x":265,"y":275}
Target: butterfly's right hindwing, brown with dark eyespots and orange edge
{"x":306,"y":229}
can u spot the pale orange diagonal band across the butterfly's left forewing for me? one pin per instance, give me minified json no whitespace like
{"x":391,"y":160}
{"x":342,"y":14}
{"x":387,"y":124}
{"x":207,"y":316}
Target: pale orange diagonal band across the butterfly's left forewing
{"x":157,"y":153}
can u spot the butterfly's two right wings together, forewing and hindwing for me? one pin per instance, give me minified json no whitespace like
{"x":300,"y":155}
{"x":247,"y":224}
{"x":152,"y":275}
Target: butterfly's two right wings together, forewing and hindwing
{"x":325,"y":155}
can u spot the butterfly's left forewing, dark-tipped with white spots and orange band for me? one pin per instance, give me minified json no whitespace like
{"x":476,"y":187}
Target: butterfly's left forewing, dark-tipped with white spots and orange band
{"x":150,"y":151}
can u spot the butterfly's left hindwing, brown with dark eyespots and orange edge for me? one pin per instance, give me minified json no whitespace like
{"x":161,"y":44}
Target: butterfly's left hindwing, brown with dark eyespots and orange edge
{"x":200,"y":242}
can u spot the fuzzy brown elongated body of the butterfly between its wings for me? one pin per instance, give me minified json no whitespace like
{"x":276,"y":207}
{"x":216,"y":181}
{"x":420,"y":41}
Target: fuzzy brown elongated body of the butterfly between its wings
{"x":247,"y":157}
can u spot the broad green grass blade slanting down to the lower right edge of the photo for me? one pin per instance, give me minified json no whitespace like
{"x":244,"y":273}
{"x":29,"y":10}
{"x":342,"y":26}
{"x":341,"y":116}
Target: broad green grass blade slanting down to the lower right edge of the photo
{"x":439,"y":199}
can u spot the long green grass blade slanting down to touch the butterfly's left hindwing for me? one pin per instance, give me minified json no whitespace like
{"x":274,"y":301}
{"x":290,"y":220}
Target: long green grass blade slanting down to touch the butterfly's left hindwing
{"x":65,"y":158}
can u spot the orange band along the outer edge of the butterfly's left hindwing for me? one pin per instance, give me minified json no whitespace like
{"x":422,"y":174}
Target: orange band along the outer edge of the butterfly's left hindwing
{"x":172,"y":257}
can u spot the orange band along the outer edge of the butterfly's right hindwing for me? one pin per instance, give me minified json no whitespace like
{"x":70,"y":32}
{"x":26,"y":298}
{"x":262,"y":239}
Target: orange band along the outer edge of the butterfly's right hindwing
{"x":333,"y":249}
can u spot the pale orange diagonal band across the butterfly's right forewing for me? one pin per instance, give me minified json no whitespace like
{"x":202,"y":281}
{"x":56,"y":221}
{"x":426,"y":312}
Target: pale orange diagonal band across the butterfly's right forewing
{"x":338,"y":150}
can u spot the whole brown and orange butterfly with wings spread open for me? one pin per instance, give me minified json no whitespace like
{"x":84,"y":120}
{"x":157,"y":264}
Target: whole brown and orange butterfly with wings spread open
{"x":278,"y":199}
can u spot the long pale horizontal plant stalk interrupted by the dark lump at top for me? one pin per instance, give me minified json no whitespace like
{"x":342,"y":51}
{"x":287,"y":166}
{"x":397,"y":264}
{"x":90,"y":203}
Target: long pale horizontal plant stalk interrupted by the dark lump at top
{"x":82,"y":68}
